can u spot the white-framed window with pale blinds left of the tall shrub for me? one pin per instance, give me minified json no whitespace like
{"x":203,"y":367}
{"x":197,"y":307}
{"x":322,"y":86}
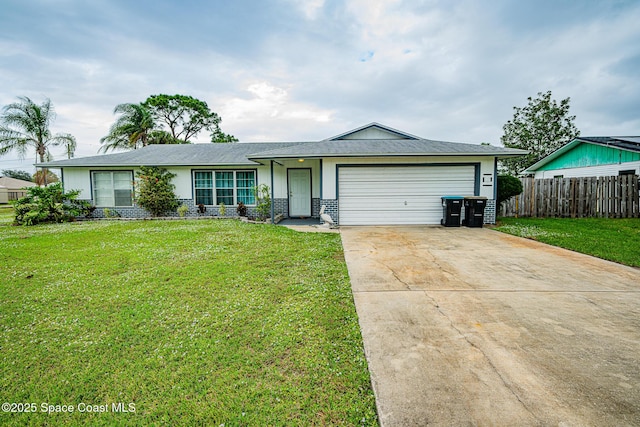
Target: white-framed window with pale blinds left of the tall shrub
{"x":112,"y":188}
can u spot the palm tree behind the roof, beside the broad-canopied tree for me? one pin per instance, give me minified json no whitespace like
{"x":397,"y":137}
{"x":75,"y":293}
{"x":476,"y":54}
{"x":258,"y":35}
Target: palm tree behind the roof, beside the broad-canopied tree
{"x":131,"y":130}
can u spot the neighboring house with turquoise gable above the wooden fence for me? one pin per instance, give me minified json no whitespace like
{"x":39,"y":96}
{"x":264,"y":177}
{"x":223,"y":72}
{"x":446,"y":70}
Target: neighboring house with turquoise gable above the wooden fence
{"x":591,"y":156}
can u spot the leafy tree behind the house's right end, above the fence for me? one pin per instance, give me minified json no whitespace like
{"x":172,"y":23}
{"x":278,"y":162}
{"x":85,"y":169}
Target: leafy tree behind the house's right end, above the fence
{"x":541,"y":127}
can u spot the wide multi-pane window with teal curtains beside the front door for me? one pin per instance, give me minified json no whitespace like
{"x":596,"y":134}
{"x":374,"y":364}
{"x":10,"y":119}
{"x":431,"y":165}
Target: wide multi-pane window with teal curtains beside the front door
{"x":227,"y":186}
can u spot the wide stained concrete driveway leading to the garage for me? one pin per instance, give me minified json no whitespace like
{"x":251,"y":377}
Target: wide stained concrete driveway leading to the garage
{"x":474,"y":327}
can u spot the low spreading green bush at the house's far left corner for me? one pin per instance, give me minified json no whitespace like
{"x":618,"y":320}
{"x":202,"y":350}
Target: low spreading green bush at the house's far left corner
{"x":49,"y":204}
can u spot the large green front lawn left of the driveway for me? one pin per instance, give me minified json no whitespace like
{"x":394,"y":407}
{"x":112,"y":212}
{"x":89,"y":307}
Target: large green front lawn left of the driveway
{"x":194,"y":322}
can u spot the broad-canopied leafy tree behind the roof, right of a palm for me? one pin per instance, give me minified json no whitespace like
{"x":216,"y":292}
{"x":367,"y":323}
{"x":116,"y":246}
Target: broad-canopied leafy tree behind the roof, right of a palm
{"x":186,"y":116}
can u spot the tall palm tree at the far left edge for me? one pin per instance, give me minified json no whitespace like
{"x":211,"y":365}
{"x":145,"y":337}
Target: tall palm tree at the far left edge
{"x":25,"y":125}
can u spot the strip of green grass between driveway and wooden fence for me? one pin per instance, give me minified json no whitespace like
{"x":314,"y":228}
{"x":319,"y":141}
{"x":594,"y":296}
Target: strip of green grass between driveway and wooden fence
{"x":615,"y":240}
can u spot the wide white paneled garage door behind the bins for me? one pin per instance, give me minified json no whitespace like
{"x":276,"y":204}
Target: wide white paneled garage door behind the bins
{"x":399,"y":194}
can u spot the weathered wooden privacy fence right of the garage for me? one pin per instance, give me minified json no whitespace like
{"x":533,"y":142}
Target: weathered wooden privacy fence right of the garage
{"x":604,"y":196}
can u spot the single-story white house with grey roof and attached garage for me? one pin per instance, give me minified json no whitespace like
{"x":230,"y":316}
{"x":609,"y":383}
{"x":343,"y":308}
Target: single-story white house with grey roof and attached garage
{"x":370,"y":175}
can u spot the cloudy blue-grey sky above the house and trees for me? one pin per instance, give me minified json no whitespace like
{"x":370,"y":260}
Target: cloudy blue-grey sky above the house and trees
{"x":299,"y":70}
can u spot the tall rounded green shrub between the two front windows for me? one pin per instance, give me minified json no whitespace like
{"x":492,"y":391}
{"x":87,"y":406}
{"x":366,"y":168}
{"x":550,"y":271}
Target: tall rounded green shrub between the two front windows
{"x":154,"y":191}
